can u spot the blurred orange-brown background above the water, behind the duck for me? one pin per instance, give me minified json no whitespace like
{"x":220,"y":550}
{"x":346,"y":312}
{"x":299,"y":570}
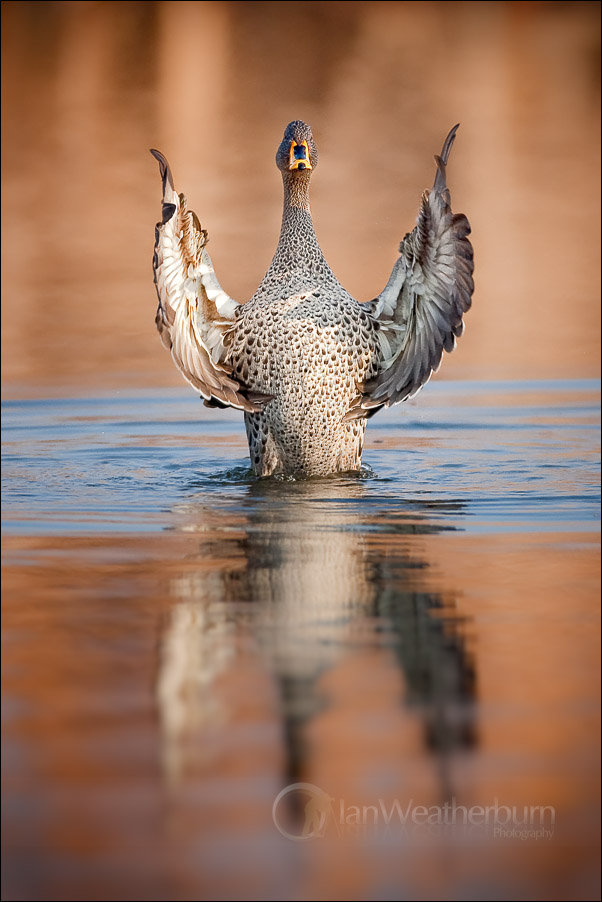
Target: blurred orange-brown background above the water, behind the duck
{"x":89,"y":87}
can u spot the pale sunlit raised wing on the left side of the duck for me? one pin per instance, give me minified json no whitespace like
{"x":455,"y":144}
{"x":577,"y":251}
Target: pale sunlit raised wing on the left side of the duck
{"x":194,"y":313}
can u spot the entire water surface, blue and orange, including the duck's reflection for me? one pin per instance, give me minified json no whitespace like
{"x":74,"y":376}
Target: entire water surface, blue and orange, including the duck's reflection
{"x":182,"y":640}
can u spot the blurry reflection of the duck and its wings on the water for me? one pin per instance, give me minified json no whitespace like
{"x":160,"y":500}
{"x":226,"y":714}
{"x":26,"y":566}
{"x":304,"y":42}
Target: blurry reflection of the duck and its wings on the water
{"x":308,"y":574}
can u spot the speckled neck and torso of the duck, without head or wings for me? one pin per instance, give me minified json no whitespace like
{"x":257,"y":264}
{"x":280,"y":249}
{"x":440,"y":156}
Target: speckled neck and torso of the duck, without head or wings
{"x":306,"y":342}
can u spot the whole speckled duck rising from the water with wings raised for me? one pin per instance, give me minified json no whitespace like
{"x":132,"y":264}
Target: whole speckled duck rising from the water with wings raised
{"x":306,"y":362}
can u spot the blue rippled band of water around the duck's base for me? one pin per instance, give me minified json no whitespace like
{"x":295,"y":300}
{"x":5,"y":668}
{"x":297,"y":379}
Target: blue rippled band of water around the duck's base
{"x":507,"y":456}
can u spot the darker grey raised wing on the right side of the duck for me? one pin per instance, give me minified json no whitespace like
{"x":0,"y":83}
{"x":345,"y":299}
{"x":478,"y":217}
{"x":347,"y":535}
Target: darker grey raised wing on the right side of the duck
{"x":419,"y":313}
